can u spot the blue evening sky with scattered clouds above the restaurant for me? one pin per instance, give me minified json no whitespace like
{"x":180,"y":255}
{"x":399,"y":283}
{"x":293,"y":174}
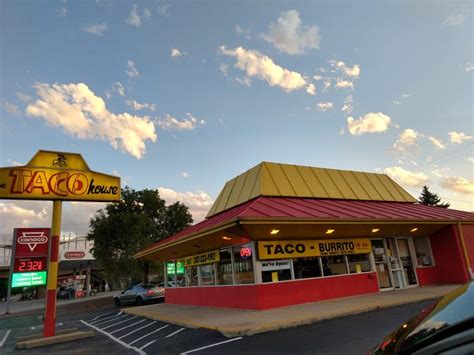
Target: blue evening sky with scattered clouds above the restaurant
{"x":183,"y":96}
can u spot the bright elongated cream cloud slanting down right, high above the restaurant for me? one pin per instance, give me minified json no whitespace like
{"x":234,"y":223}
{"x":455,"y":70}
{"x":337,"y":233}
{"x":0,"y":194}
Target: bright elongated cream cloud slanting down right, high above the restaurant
{"x":256,"y":64}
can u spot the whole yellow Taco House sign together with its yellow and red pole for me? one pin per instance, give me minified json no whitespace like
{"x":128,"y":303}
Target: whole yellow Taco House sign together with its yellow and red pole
{"x":57,"y":177}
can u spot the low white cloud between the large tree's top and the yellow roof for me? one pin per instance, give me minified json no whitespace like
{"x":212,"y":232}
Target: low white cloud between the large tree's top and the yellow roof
{"x":199,"y":203}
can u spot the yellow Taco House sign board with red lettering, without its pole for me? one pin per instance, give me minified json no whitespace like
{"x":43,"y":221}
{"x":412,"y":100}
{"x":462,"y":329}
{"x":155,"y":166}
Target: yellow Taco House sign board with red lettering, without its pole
{"x":57,"y":176}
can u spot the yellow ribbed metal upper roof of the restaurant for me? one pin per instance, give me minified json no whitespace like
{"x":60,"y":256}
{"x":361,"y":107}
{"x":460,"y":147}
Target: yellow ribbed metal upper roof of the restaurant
{"x":285,"y":180}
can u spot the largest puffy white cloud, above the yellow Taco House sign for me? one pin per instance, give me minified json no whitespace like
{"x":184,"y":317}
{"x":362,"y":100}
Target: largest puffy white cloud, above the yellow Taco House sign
{"x":79,"y":112}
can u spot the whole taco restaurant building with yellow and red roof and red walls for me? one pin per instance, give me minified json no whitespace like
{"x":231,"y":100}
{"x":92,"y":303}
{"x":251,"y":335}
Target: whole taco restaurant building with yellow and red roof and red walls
{"x":282,"y":234}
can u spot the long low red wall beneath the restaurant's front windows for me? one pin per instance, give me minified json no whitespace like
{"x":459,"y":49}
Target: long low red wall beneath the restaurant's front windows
{"x":274,"y":295}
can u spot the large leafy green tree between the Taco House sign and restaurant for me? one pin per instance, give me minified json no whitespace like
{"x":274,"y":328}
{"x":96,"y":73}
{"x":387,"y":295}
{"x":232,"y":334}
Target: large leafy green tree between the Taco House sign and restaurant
{"x":123,"y":228}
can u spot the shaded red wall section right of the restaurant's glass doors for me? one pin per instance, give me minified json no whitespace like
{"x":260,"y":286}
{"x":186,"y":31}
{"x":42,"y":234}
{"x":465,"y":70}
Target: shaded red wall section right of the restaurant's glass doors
{"x":450,"y":265}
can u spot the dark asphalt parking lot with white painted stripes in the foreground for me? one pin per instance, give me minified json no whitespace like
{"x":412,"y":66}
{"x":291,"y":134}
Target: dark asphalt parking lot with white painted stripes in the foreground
{"x":120,"y":333}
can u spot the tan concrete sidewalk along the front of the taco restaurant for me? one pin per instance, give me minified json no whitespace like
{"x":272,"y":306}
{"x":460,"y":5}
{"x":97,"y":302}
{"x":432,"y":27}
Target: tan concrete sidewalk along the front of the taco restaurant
{"x":236,"y":322}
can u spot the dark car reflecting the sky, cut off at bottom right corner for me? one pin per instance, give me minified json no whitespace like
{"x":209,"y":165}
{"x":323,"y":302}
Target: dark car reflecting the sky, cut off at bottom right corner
{"x":446,"y":327}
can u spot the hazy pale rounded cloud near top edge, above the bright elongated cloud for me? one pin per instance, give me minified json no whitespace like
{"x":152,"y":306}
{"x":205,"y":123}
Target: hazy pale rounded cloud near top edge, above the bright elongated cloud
{"x":288,"y":35}
